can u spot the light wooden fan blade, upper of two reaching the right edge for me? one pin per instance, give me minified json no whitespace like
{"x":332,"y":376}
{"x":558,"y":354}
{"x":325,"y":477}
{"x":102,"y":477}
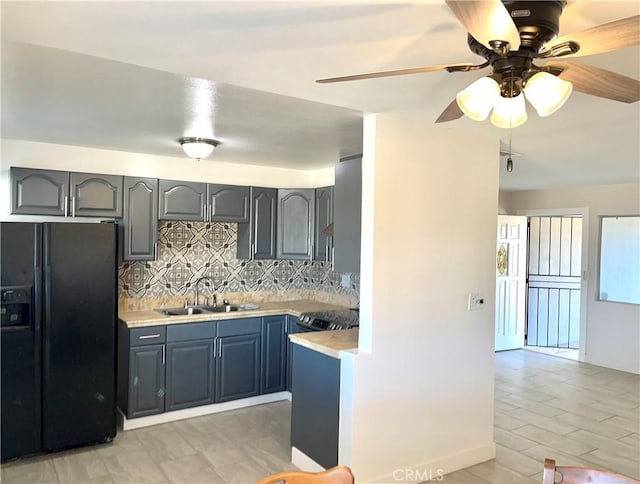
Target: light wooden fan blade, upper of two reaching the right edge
{"x":603,"y":38}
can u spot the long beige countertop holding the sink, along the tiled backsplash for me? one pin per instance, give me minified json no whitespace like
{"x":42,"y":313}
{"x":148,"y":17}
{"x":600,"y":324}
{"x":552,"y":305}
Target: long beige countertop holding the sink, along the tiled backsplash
{"x":136,"y":319}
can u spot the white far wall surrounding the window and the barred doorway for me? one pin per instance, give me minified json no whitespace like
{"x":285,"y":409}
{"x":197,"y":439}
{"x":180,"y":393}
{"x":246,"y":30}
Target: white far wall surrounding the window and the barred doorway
{"x":612,"y":333}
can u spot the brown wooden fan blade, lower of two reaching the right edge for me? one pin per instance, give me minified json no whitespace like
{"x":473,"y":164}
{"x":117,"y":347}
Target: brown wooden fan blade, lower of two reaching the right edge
{"x":598,"y":82}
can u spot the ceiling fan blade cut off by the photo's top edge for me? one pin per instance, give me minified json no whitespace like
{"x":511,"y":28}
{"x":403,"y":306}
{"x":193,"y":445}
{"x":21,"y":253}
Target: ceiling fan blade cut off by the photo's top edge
{"x":486,"y":20}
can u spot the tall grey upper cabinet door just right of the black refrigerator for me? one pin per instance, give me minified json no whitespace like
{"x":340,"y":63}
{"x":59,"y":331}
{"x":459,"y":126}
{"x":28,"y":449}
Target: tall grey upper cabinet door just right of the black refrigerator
{"x":140,"y":219}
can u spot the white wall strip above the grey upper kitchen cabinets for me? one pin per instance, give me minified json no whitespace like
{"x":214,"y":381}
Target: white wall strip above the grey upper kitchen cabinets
{"x":76,"y":158}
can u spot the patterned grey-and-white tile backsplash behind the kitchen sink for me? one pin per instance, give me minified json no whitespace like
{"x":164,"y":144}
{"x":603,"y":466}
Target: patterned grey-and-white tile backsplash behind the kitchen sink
{"x":190,"y":250}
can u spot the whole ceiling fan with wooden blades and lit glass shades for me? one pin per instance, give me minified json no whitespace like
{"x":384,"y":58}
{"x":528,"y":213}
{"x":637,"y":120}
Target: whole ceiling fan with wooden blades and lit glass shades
{"x":510,"y":35}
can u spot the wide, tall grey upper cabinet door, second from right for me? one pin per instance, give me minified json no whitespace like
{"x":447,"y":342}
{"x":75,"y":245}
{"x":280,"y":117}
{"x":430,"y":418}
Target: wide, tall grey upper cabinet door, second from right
{"x":295,"y":224}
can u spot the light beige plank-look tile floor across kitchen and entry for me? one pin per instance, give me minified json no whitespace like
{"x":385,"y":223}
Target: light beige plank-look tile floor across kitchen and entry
{"x":545,"y":407}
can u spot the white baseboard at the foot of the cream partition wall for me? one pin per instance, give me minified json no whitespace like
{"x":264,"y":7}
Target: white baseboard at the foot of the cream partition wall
{"x":435,"y":469}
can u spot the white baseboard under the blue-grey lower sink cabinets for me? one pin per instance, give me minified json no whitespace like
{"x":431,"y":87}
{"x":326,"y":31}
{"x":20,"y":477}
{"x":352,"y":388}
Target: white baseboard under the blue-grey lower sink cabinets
{"x":136,"y":423}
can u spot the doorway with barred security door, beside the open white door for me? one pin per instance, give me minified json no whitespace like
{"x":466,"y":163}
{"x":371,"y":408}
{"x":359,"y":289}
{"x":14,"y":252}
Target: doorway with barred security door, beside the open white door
{"x":554,"y":284}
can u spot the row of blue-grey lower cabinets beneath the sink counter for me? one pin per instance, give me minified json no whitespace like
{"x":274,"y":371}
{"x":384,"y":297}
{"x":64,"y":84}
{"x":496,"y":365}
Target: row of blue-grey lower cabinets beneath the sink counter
{"x":178,"y":366}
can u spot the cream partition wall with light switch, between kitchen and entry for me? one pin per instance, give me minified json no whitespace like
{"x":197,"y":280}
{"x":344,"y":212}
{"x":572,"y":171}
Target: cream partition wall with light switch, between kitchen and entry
{"x":422,"y":397}
